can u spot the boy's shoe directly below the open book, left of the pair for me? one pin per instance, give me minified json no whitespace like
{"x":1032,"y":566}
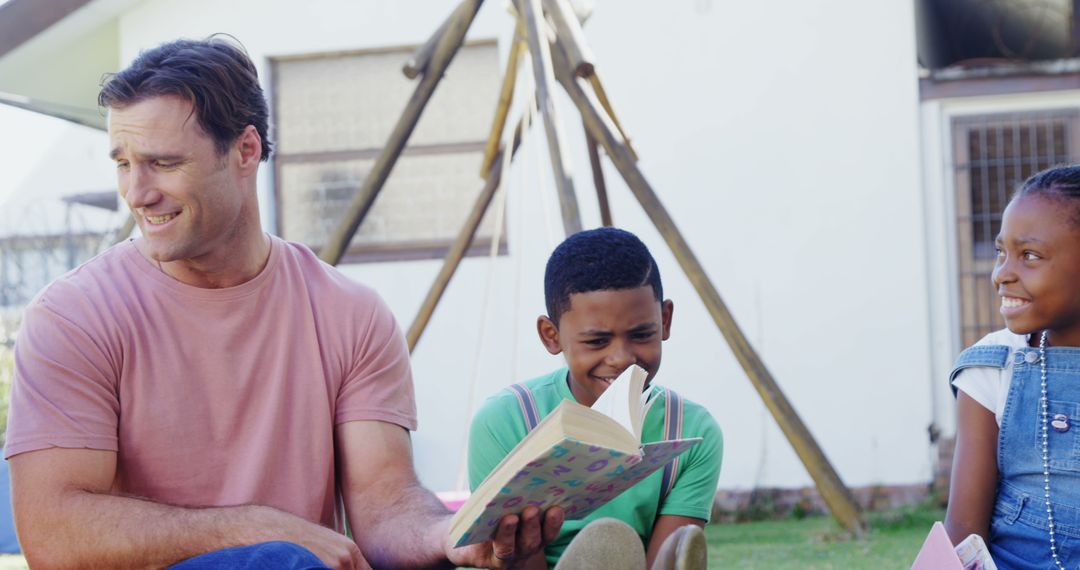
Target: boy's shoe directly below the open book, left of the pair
{"x":604,"y":544}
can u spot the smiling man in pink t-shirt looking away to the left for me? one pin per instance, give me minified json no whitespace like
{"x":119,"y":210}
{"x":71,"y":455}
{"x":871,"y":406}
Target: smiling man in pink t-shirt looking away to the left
{"x":210,"y":396}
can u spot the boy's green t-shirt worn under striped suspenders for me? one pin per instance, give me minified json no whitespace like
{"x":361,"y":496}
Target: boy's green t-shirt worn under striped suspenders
{"x":499,"y":426}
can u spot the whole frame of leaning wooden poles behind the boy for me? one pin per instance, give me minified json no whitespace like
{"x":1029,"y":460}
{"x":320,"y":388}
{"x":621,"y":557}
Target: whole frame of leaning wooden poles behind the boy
{"x":561,"y":55}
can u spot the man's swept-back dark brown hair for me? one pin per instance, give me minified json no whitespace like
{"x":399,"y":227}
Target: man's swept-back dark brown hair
{"x":215,"y":75}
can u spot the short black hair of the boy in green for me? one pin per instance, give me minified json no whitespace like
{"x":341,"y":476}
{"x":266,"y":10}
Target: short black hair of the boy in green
{"x":601,"y":260}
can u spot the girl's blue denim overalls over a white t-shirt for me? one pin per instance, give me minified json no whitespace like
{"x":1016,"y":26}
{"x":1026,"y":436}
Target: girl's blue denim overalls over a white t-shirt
{"x":1020,"y":536}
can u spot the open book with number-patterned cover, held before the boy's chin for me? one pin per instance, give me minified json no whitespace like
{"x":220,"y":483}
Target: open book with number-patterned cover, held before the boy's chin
{"x":577,"y":458}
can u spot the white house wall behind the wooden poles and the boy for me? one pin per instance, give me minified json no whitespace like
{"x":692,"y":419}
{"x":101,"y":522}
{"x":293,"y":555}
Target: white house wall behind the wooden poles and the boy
{"x":784,"y":140}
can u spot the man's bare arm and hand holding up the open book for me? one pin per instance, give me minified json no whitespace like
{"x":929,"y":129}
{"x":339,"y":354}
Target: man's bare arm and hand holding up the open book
{"x":399,"y":524}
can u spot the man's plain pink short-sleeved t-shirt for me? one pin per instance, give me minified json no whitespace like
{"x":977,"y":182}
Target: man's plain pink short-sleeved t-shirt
{"x":210,"y":397}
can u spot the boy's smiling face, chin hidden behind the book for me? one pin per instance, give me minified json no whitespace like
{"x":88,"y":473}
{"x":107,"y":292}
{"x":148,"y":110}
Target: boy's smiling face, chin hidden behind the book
{"x":605,"y":332}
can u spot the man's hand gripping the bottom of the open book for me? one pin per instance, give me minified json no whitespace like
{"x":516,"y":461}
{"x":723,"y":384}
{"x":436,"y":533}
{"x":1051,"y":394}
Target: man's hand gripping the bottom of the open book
{"x":517,"y":539}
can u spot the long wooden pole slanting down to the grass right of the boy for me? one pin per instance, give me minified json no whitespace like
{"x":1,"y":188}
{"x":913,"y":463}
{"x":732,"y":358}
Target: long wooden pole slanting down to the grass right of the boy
{"x":834,"y":493}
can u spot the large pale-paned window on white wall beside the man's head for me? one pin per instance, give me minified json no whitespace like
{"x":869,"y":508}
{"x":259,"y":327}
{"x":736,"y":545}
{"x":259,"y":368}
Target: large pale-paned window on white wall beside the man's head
{"x":334,"y":114}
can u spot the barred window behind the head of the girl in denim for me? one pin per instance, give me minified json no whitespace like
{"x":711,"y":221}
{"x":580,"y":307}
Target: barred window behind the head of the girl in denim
{"x":993,"y":155}
